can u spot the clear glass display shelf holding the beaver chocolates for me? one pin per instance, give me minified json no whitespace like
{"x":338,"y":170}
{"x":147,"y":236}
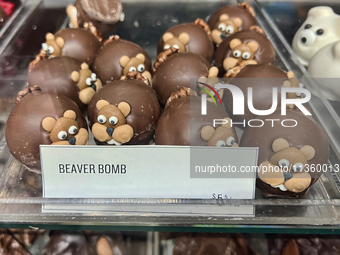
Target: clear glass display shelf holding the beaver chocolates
{"x":20,"y":190}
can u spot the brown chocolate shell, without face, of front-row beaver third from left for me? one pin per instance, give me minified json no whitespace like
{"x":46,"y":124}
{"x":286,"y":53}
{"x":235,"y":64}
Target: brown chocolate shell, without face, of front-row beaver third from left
{"x":181,"y":122}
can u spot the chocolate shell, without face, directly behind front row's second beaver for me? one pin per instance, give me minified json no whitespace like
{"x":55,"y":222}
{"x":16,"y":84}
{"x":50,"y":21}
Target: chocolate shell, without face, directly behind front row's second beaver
{"x":107,"y":66}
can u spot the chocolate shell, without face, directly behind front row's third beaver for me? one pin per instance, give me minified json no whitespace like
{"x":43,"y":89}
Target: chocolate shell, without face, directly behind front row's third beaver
{"x":175,"y":73}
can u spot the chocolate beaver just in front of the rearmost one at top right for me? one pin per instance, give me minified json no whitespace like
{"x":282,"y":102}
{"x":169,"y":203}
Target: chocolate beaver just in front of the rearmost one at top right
{"x":250,"y":46}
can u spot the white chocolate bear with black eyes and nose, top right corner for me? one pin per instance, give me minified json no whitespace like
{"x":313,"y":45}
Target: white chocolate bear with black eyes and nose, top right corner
{"x":319,"y":29}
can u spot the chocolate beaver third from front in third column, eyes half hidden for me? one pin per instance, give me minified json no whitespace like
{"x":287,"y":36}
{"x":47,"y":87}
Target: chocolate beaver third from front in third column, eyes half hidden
{"x":187,"y":37}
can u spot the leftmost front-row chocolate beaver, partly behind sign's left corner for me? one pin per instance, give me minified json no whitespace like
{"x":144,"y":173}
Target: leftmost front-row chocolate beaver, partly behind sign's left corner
{"x":40,"y":118}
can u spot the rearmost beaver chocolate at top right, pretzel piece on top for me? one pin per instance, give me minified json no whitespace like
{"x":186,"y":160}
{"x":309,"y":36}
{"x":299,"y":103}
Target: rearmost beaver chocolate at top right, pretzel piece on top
{"x":229,"y":20}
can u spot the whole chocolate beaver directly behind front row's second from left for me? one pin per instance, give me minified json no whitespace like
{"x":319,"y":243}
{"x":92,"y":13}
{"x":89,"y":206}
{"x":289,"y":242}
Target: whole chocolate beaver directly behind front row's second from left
{"x":118,"y":57}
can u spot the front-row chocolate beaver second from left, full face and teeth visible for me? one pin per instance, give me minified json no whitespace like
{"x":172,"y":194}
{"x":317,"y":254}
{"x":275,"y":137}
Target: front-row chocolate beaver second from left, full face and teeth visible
{"x":142,"y":116}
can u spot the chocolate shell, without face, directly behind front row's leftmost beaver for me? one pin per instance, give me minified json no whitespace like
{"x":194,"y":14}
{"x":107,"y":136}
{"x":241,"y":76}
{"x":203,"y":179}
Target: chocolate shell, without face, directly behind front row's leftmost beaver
{"x":54,"y":76}
